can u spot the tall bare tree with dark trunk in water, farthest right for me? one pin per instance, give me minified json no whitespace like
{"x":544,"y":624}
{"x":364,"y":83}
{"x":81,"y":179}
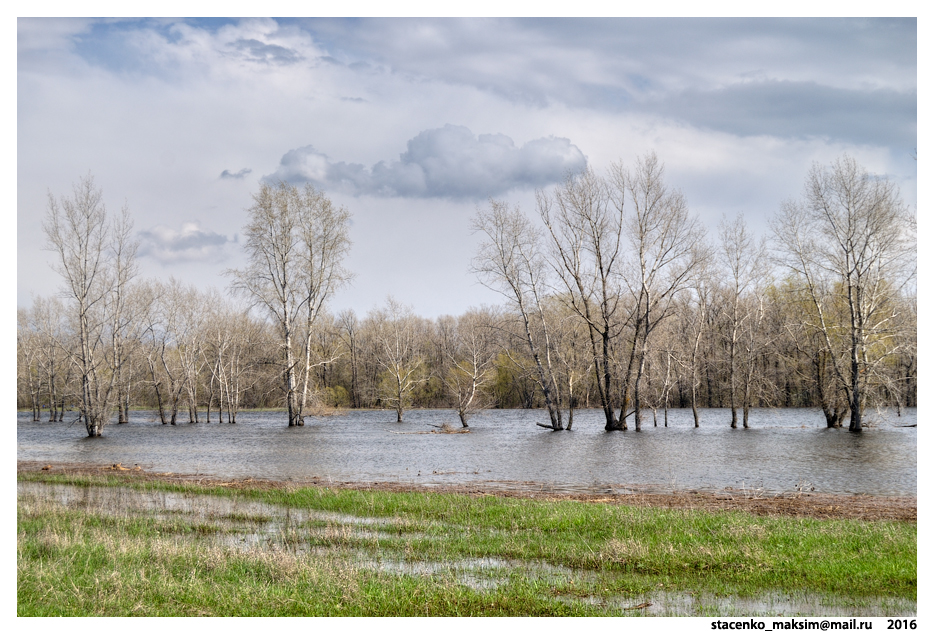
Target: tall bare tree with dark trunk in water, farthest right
{"x":849,"y":241}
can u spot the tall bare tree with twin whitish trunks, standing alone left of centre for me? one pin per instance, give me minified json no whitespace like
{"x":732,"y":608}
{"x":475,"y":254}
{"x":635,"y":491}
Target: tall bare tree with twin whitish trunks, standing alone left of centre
{"x":296,"y":243}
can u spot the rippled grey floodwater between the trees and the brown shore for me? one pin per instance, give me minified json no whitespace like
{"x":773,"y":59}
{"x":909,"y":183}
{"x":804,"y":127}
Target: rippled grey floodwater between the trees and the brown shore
{"x":784,"y":450}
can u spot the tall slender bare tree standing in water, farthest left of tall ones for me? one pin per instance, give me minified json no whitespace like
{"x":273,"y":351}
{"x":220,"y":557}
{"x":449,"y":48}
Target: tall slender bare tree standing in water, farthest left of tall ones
{"x":95,"y":259}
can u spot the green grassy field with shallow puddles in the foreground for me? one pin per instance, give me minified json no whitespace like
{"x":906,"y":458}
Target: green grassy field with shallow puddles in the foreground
{"x":153,"y":548}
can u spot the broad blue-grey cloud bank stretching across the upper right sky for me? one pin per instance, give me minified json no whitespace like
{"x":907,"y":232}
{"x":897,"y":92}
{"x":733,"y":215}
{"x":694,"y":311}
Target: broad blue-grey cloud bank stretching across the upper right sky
{"x":860,"y":74}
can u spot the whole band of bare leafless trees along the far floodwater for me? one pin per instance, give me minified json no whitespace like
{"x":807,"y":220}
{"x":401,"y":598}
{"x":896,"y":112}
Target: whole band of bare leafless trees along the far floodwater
{"x":615,"y":298}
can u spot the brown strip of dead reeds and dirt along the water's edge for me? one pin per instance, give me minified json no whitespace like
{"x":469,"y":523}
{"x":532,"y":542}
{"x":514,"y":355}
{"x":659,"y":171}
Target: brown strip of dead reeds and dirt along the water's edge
{"x":799,"y":504}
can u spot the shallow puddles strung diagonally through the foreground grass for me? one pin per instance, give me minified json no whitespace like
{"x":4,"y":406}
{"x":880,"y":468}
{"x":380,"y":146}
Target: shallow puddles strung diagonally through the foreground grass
{"x":248,"y":525}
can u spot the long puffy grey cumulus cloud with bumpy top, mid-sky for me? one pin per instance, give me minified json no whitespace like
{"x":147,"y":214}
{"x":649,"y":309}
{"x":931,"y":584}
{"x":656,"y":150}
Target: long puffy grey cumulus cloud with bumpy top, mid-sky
{"x":441,"y":162}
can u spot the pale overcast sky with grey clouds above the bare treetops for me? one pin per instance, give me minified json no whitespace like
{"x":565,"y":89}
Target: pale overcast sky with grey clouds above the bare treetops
{"x":413,"y":124}
